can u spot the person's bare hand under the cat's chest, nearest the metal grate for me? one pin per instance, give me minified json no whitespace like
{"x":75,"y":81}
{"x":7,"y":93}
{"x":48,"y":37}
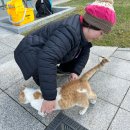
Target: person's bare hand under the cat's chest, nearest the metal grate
{"x":48,"y":106}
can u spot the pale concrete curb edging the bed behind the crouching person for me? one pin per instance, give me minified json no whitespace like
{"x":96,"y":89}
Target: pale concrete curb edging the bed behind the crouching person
{"x":59,"y":12}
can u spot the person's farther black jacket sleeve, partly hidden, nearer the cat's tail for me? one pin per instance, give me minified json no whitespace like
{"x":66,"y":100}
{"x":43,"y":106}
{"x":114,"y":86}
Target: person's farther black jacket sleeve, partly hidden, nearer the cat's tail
{"x":81,"y":60}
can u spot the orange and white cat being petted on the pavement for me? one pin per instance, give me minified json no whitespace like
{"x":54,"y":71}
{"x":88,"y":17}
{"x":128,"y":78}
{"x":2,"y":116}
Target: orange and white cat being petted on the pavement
{"x":77,"y":92}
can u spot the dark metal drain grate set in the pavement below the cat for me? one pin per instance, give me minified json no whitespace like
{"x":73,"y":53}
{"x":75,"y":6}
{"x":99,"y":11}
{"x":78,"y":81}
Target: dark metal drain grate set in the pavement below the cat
{"x":63,"y":122}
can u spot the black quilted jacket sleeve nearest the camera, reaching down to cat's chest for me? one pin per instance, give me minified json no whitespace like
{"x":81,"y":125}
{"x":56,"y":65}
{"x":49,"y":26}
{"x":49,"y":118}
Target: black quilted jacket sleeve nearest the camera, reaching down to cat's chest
{"x":58,"y":45}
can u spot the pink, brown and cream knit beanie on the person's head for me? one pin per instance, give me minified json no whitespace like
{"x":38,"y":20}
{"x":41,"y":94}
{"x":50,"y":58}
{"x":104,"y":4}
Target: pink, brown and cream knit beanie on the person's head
{"x":101,"y":14}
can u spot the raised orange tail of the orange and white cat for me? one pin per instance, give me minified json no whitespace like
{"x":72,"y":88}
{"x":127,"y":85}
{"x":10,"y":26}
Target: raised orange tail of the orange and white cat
{"x":92,"y":71}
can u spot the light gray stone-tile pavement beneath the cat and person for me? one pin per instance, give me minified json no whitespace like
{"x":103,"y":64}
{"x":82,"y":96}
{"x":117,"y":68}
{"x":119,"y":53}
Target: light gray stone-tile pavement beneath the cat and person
{"x":111,"y":83}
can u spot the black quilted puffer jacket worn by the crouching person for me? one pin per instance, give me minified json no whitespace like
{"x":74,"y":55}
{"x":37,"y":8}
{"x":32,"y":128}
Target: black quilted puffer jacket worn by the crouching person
{"x":55,"y":43}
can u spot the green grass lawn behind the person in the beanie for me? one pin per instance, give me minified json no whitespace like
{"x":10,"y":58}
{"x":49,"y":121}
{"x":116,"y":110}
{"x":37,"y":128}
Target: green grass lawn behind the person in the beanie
{"x":120,"y":35}
